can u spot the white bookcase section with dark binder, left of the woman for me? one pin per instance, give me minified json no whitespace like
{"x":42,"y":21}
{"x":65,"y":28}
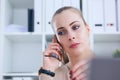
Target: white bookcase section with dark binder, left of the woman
{"x":21,"y":52}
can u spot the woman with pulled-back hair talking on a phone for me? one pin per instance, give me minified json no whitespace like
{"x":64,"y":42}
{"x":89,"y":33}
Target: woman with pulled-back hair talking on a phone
{"x":72,"y":34}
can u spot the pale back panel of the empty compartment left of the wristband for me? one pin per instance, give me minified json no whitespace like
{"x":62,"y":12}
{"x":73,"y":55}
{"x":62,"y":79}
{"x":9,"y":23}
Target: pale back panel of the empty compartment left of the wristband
{"x":26,"y":56}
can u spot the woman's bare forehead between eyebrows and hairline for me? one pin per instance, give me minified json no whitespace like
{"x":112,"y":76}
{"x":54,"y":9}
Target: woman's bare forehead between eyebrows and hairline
{"x":66,"y":17}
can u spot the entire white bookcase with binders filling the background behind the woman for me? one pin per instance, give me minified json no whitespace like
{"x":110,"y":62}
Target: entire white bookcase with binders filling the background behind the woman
{"x":21,"y":52}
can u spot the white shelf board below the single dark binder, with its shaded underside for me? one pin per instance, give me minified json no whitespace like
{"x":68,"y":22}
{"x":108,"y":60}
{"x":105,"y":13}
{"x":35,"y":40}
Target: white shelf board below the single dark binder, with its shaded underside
{"x":24,"y":37}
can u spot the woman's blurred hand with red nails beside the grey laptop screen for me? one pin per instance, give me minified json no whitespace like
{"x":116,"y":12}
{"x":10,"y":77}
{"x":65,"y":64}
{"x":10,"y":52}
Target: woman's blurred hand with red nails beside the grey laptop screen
{"x":79,"y":71}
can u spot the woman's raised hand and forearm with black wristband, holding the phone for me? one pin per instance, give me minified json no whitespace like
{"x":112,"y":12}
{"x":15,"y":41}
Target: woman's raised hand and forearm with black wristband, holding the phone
{"x":51,"y":62}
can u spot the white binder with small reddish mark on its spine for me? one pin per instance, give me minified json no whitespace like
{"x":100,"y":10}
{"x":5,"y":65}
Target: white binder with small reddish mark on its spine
{"x":110,"y":15}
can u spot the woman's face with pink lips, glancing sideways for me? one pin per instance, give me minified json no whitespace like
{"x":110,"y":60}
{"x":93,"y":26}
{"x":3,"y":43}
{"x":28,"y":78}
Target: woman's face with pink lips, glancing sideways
{"x":72,"y":32}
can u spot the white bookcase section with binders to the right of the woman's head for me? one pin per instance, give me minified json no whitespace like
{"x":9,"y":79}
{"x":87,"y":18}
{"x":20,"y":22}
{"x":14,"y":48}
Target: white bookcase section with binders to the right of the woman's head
{"x":103,"y":18}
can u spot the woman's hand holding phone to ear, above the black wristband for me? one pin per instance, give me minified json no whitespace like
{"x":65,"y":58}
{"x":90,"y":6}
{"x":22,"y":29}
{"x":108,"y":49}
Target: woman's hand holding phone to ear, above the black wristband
{"x":51,"y":63}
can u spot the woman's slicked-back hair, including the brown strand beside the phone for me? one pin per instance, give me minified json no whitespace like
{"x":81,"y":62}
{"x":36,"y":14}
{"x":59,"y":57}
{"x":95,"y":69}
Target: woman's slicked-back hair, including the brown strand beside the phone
{"x":65,"y":57}
